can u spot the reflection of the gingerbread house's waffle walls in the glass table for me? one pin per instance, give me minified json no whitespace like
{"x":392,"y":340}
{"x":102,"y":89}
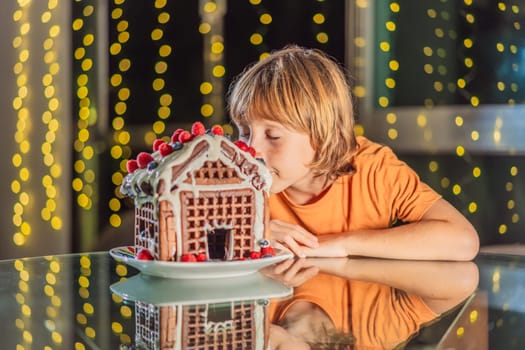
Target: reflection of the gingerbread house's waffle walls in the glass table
{"x":229,"y":325}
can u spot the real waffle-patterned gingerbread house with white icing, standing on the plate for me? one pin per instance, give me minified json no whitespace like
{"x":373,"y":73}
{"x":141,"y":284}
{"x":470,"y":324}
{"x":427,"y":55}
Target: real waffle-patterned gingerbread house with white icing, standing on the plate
{"x":206,"y":197}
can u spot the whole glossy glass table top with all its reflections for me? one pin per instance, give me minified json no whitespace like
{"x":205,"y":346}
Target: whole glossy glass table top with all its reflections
{"x":91,"y":301}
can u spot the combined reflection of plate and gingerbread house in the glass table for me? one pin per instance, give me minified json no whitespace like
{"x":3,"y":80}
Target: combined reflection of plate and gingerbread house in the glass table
{"x":201,"y":314}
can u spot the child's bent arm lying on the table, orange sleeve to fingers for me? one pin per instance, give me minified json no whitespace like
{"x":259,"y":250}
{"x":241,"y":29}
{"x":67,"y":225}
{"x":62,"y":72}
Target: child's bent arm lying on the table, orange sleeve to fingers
{"x":443,"y":233}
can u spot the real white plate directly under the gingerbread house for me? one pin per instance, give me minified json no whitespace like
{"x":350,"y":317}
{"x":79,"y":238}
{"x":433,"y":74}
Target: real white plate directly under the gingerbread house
{"x":191,"y":270}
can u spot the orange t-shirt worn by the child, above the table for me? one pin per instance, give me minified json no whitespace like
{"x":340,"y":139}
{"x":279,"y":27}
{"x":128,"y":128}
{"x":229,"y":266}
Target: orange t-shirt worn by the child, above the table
{"x":382,"y":189}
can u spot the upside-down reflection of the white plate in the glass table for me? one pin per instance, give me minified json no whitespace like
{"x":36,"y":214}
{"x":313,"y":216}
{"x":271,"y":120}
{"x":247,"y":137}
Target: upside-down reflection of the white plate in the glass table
{"x":163,"y":291}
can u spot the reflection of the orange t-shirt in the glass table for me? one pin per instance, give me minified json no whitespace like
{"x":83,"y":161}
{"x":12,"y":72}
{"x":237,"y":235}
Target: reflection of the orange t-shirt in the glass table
{"x":377,"y":315}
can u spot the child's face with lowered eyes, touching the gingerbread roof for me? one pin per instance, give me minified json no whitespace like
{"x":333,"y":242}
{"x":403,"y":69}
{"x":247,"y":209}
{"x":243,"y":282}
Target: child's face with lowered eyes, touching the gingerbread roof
{"x":285,"y":152}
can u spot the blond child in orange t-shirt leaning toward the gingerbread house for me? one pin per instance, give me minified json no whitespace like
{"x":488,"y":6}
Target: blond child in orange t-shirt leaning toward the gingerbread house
{"x":335,"y":194}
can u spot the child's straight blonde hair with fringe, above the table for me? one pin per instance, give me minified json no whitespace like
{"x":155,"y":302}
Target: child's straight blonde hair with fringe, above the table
{"x":306,"y":91}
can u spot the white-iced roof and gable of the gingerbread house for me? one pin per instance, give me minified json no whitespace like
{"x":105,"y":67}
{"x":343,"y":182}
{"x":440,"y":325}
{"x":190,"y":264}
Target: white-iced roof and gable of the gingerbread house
{"x":190,"y":163}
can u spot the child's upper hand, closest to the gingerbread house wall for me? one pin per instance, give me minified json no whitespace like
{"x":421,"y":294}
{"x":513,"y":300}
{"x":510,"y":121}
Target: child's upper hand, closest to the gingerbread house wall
{"x":293,"y":237}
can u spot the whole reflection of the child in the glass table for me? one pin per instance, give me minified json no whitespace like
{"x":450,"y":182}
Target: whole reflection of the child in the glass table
{"x":366,"y":303}
